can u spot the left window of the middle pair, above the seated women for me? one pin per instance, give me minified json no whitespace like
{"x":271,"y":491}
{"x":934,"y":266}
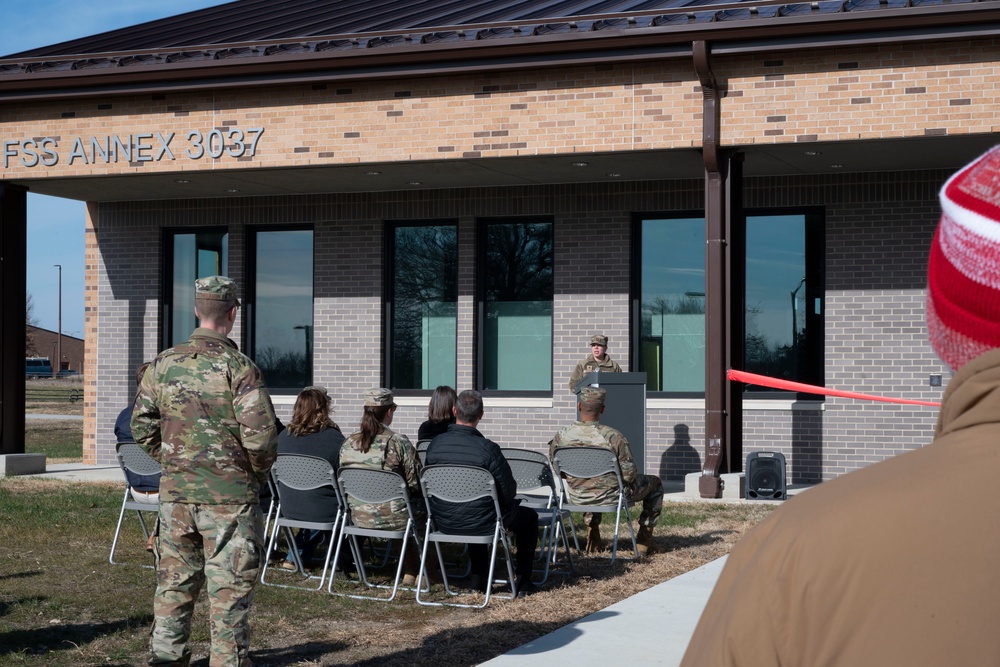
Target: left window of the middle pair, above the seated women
{"x":422,"y":305}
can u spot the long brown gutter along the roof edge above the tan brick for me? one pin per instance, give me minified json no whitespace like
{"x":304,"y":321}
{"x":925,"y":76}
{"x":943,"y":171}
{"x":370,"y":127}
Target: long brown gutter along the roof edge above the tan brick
{"x":774,"y":34}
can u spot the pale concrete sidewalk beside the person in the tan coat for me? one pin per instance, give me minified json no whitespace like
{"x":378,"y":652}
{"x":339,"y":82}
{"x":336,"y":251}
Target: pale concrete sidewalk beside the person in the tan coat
{"x":667,"y":612}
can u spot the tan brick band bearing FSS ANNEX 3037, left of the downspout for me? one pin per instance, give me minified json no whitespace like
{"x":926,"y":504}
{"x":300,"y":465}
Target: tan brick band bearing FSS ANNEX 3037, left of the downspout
{"x":535,"y":113}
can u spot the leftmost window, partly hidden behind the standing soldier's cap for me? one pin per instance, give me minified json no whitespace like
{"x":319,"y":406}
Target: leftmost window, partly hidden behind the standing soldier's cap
{"x":190,"y":255}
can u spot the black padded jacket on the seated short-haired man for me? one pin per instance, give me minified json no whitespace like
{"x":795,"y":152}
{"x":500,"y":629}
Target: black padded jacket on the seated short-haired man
{"x":464,"y":445}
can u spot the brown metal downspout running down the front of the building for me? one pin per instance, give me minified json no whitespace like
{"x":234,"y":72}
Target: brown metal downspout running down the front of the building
{"x":717,"y":301}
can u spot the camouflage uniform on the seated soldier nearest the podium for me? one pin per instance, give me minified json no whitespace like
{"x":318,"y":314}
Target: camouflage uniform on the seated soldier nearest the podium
{"x":604,"y":489}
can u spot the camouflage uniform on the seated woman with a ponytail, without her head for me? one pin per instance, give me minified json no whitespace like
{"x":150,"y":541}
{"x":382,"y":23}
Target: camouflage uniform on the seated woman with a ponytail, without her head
{"x":389,"y":451}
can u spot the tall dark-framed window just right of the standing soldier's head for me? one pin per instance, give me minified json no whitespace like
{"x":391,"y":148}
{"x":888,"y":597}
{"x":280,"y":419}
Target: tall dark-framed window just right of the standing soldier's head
{"x":279,"y":312}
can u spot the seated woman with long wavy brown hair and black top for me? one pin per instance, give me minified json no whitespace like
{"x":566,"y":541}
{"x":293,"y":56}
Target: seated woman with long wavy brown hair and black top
{"x":311,"y":432}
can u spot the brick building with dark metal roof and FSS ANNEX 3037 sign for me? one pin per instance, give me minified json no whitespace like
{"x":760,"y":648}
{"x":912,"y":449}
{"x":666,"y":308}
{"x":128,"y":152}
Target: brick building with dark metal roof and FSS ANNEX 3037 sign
{"x":420,"y":198}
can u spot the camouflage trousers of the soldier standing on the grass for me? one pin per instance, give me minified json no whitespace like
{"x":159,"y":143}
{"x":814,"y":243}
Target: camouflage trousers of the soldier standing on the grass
{"x":220,"y":545}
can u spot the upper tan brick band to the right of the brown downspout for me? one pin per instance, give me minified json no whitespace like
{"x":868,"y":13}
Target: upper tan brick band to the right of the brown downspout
{"x":862,"y":93}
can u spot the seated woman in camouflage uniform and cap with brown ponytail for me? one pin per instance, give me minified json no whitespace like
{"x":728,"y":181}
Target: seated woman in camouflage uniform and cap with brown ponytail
{"x":378,"y":446}
